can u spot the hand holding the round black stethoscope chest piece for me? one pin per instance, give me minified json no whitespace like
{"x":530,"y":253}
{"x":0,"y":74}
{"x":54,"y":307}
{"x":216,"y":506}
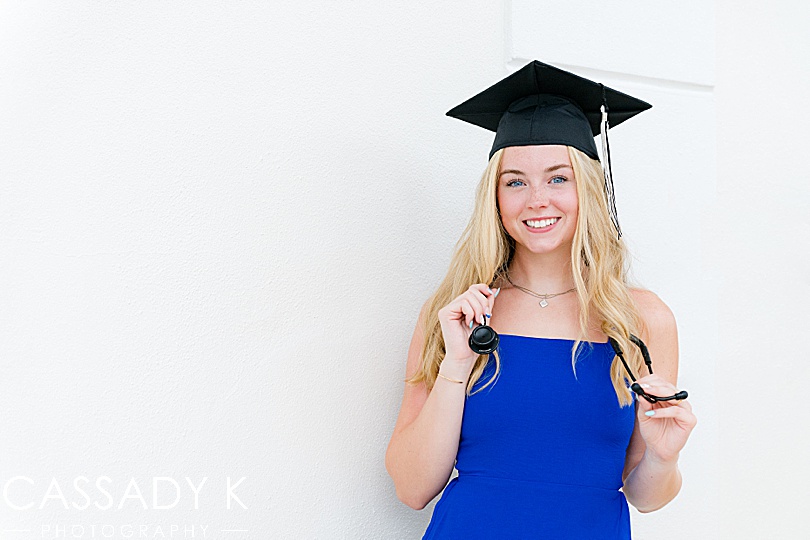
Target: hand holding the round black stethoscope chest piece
{"x":459,"y":317}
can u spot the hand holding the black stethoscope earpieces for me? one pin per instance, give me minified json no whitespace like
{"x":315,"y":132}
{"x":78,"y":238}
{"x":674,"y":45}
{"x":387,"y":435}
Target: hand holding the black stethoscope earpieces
{"x":665,"y":431}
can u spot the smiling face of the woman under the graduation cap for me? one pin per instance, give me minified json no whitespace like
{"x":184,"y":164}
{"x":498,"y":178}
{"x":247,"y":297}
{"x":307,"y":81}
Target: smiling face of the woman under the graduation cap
{"x":537,"y":197}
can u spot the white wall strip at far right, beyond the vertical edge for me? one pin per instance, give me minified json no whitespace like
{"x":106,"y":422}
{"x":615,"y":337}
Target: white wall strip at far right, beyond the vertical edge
{"x":760,"y":234}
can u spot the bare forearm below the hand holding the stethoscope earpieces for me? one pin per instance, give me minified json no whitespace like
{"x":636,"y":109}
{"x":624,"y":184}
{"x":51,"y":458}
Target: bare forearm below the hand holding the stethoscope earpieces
{"x":653,"y":483}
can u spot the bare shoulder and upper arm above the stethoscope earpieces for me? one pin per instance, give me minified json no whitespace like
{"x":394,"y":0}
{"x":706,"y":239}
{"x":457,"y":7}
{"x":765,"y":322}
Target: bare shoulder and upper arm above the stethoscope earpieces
{"x":660,"y":332}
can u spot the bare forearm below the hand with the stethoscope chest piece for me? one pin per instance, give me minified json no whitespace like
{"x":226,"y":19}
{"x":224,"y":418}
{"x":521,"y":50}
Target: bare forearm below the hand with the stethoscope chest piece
{"x":421,"y":456}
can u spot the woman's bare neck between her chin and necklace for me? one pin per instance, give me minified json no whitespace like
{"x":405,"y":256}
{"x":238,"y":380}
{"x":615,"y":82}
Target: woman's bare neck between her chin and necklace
{"x":545,"y":273}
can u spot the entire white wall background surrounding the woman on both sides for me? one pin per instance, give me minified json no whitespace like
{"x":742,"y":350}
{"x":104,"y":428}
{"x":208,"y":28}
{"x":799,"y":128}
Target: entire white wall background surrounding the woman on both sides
{"x":218,"y":222}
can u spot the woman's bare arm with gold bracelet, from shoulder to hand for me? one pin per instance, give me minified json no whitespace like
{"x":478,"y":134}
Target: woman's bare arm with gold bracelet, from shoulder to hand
{"x":423,"y":448}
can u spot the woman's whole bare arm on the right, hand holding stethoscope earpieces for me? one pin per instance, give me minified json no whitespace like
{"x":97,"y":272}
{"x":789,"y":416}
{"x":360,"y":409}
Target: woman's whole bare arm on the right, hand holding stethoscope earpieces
{"x":651,"y":475}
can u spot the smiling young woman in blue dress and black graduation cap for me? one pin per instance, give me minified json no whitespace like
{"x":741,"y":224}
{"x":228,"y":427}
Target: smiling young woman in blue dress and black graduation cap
{"x":548,"y":439}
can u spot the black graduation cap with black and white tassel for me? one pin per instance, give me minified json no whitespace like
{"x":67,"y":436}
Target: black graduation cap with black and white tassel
{"x":541,"y":104}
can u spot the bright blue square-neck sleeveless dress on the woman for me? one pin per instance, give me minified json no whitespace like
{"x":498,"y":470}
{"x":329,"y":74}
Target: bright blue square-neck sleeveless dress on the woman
{"x":542,"y":449}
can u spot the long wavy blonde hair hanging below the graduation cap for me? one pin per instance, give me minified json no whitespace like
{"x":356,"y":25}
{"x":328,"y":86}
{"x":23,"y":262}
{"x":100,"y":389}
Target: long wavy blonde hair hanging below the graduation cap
{"x":598,"y":259}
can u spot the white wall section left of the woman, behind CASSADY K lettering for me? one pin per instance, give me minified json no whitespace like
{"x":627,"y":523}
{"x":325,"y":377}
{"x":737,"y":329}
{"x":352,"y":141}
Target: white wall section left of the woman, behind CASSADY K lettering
{"x":218,"y":222}
